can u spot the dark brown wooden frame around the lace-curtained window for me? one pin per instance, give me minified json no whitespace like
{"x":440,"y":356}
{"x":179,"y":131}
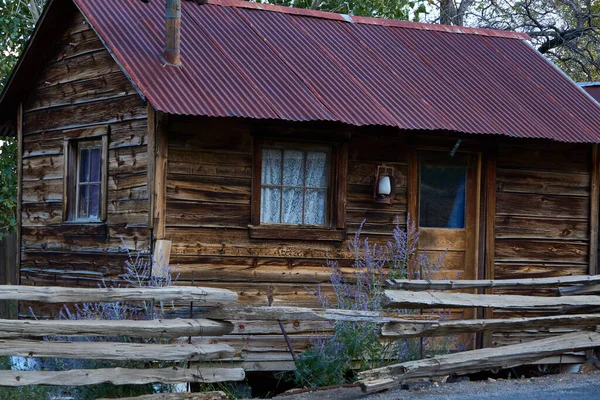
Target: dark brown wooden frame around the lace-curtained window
{"x":334,"y":228}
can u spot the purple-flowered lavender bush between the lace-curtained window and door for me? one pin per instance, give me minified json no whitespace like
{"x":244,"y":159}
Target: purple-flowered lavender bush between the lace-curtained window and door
{"x":353,"y":346}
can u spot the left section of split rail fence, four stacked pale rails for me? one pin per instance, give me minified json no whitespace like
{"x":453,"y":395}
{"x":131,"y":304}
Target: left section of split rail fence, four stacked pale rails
{"x":22,"y":338}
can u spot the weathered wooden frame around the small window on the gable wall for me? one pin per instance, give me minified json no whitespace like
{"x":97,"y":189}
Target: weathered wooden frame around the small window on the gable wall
{"x":72,"y":145}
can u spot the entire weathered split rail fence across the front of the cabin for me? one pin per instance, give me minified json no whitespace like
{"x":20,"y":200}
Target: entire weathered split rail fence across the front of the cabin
{"x":575,"y":308}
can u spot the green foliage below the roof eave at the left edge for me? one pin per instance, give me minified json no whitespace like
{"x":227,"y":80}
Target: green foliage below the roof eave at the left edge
{"x":8,"y":186}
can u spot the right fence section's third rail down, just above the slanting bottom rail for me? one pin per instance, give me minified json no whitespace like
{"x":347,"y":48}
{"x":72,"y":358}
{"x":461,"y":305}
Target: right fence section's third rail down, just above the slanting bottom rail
{"x":454,"y":327}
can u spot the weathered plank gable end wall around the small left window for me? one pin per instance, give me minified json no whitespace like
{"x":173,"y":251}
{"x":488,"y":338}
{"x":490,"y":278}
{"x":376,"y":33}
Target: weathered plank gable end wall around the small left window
{"x":81,"y":87}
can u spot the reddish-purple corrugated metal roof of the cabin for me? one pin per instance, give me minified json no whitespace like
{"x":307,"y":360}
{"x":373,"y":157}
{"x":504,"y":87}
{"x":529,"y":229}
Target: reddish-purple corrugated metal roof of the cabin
{"x":260,"y":61}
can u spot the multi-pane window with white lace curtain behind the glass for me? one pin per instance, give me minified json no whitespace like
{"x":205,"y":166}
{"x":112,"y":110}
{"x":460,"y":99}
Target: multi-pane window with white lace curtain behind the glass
{"x":295,"y":185}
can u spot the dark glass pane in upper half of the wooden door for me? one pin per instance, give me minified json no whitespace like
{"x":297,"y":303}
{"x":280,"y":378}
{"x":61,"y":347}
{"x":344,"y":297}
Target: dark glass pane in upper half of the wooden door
{"x":442,"y":198}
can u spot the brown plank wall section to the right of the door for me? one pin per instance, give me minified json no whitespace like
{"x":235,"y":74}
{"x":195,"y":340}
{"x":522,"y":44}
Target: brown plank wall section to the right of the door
{"x":542,"y":224}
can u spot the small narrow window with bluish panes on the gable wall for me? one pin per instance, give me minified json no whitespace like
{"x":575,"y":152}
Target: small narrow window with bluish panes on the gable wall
{"x":85,"y":183}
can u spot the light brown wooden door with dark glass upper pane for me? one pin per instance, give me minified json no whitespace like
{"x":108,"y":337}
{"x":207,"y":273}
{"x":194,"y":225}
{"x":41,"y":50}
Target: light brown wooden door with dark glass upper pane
{"x":444,"y":205}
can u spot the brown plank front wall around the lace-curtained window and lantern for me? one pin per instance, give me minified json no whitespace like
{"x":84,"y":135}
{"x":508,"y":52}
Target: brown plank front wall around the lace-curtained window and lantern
{"x":209,"y":175}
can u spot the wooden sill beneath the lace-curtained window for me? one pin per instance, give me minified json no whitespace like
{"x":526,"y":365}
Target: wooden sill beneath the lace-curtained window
{"x":288,"y":232}
